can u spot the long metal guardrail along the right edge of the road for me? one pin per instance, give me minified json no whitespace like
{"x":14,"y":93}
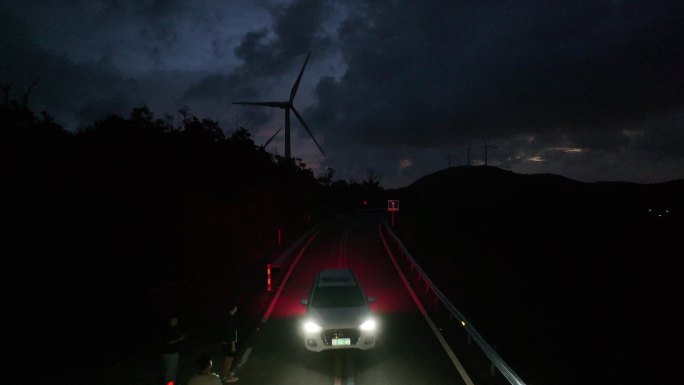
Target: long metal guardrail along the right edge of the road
{"x":493,"y":356}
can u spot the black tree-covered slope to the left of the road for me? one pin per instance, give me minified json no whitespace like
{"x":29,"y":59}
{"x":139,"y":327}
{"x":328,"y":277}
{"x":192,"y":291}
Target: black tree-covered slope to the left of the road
{"x":148,"y":216}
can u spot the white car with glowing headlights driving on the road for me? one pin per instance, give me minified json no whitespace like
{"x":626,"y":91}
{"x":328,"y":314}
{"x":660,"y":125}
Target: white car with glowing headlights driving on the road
{"x":338,"y":315}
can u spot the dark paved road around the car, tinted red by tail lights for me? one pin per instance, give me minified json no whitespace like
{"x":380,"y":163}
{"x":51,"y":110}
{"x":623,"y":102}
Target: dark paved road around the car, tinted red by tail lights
{"x":407,"y":352}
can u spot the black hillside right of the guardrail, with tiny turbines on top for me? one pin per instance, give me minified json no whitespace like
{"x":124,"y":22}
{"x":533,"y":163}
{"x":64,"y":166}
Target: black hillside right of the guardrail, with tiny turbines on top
{"x":563,"y":277}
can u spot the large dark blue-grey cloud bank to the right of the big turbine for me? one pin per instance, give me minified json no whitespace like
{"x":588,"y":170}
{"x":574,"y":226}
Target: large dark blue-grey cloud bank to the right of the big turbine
{"x":457,"y":71}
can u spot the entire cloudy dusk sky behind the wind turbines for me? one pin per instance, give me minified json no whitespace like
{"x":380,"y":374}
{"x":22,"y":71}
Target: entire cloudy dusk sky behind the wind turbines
{"x":592,"y":90}
